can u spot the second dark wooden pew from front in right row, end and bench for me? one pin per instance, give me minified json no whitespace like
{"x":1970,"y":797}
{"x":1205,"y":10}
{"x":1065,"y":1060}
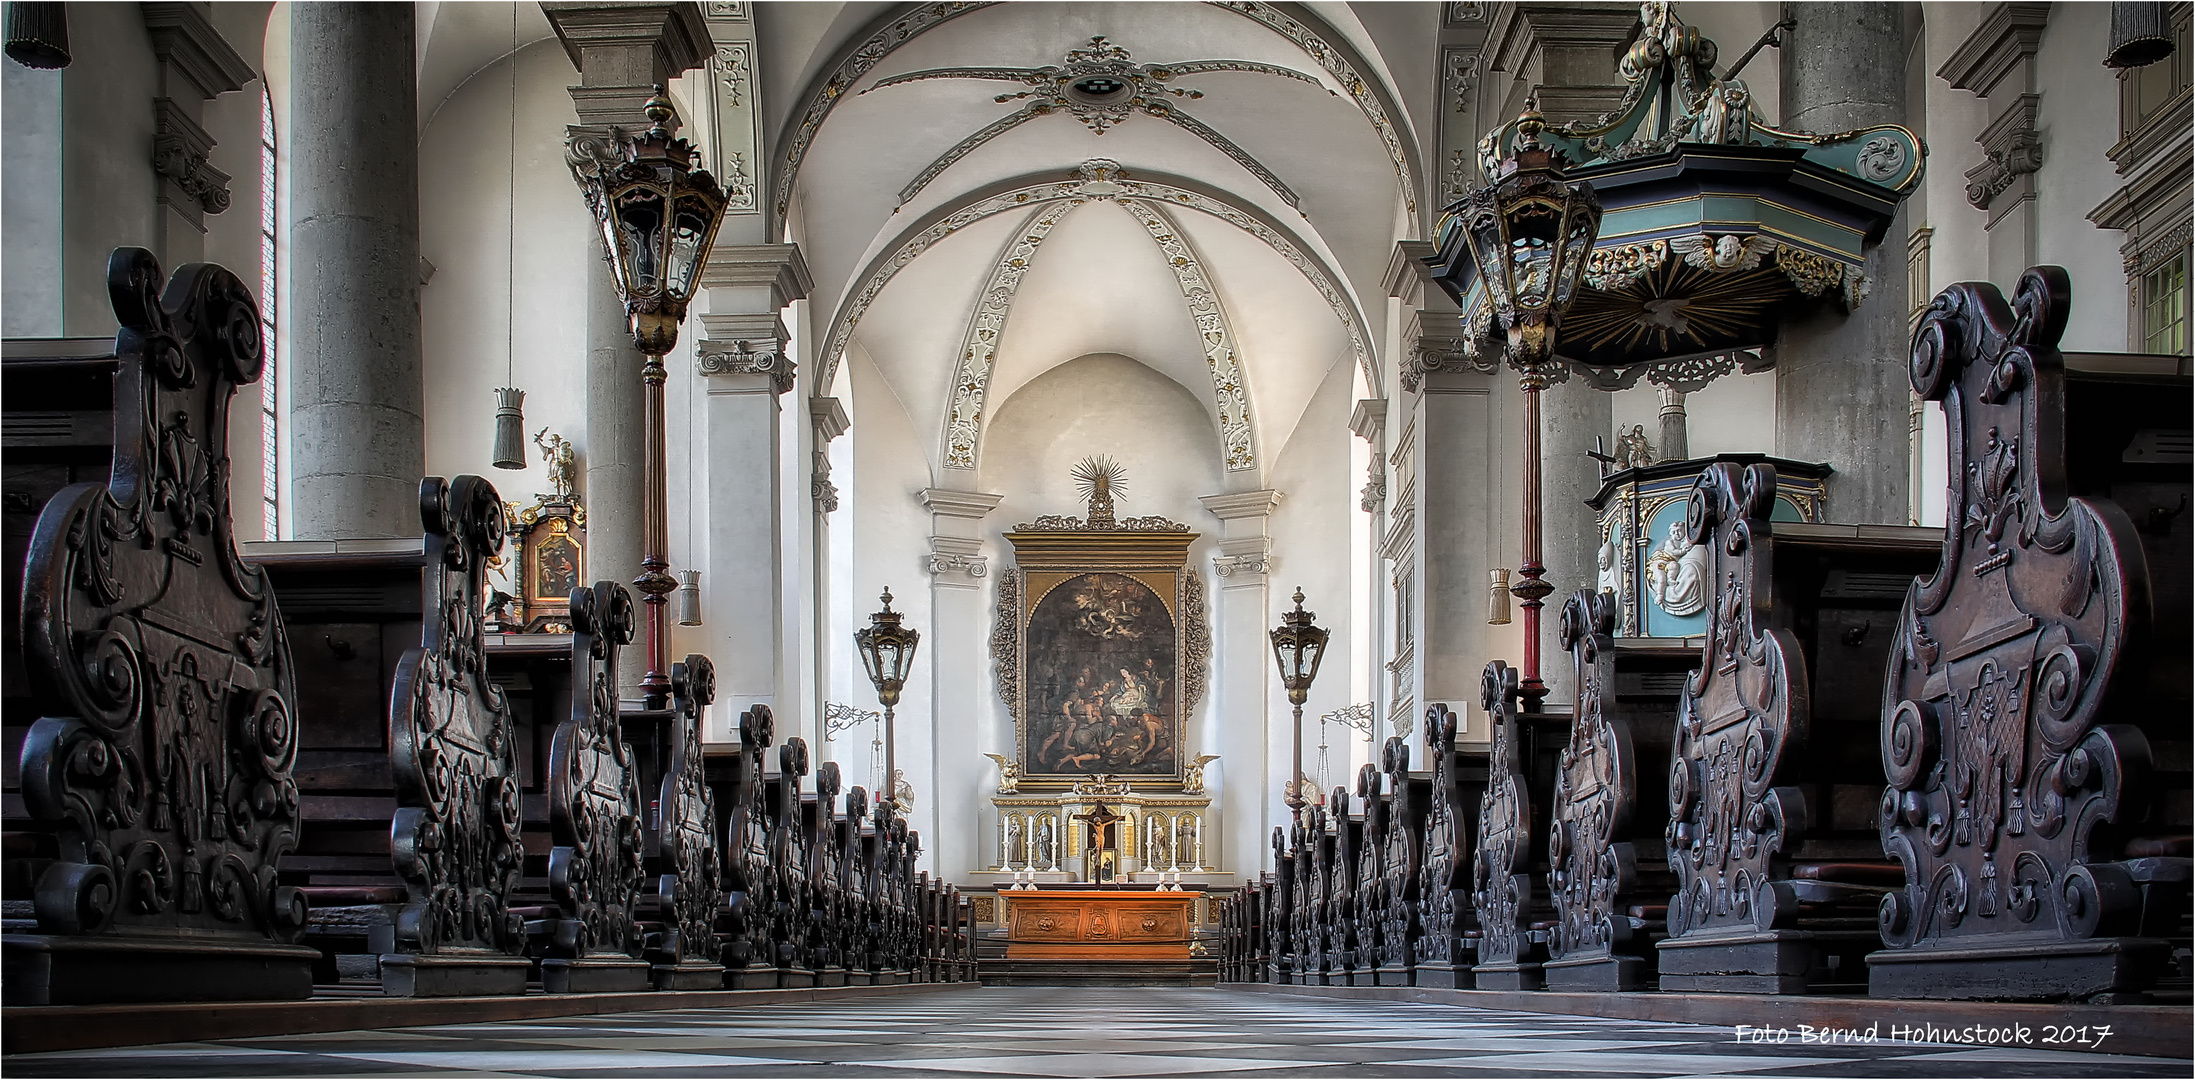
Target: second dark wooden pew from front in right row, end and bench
{"x":1772,"y":822}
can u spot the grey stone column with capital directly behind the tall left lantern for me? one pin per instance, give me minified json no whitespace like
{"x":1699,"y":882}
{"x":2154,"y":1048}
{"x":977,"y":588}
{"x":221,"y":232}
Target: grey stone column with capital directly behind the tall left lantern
{"x":620,"y":52}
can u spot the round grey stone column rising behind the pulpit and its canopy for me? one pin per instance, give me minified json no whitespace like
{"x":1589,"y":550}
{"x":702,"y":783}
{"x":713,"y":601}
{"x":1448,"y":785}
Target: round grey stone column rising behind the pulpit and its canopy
{"x":1841,"y":379}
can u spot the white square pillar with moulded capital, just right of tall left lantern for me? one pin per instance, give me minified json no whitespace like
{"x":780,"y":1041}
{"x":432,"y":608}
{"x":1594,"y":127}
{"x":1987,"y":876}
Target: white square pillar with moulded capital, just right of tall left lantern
{"x":745,"y":370}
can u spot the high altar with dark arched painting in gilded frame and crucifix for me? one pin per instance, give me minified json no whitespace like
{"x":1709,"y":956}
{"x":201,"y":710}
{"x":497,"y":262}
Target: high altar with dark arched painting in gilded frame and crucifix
{"x":1101,"y":655}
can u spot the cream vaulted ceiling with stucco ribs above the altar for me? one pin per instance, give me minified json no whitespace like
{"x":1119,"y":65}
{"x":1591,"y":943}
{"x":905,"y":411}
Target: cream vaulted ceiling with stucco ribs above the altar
{"x":1020,"y":185}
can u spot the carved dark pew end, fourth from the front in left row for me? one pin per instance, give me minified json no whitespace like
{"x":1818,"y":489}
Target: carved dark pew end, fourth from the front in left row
{"x":690,"y":895}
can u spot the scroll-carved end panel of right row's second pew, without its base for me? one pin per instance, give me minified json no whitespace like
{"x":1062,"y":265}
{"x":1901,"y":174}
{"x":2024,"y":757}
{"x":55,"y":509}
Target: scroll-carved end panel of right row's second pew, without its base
{"x":1729,"y":822}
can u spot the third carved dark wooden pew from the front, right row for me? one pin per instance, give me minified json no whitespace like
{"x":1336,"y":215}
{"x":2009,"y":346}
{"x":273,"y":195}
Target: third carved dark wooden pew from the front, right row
{"x":1608,"y":805}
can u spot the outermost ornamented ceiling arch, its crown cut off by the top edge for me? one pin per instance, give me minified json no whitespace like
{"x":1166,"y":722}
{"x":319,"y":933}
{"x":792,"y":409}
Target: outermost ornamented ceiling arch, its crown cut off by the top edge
{"x":826,"y":93}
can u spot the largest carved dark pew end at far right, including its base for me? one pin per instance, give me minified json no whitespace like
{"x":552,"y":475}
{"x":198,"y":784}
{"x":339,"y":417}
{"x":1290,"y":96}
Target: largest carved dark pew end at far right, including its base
{"x":2010,"y":712}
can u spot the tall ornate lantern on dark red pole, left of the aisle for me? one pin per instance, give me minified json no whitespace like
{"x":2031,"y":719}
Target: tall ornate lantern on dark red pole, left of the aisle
{"x":657,"y":216}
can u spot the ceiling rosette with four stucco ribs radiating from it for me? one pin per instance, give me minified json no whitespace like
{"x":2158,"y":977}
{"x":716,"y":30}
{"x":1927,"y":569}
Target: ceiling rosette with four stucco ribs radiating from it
{"x":1099,"y":85}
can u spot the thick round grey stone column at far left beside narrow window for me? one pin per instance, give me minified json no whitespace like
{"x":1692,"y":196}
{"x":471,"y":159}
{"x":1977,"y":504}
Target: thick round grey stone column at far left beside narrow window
{"x":359,"y":440}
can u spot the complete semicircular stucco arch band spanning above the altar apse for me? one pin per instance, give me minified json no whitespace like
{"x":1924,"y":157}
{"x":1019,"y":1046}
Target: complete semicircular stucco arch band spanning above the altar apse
{"x":1083,"y":190}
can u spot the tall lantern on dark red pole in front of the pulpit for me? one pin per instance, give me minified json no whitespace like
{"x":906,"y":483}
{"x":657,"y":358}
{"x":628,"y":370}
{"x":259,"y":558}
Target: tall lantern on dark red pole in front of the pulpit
{"x":1531,"y":236}
